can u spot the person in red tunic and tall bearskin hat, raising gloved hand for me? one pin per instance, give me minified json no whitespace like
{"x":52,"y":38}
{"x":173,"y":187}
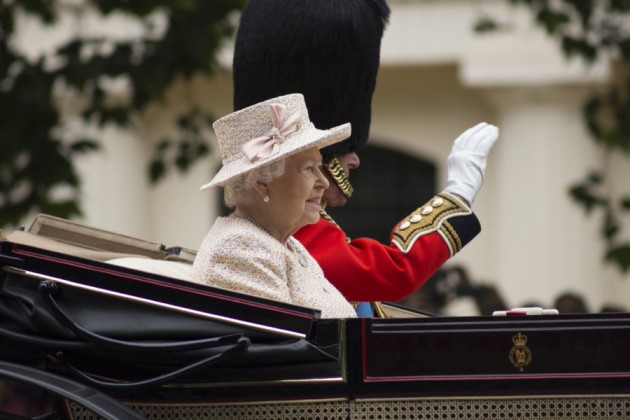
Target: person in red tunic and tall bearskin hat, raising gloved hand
{"x":329,"y":51}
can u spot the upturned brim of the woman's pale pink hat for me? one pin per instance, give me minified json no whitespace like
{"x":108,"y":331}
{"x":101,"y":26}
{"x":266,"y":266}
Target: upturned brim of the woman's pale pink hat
{"x":294,"y":144}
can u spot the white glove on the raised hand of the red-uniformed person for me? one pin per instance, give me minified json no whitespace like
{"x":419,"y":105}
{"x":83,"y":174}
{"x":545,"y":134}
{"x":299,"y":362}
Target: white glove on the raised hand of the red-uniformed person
{"x":466,"y":164}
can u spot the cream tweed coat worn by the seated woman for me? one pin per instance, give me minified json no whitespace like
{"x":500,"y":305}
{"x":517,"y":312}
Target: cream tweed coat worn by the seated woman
{"x":237,"y":255}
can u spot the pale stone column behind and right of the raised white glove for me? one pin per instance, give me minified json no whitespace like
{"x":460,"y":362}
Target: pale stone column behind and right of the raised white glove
{"x":544,"y":242}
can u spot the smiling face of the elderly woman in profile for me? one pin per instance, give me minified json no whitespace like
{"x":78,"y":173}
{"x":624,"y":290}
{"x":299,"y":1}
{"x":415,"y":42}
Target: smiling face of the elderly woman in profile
{"x":295,"y":197}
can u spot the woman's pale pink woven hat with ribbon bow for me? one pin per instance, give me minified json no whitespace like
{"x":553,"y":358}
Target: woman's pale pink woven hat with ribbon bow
{"x":267,"y":132}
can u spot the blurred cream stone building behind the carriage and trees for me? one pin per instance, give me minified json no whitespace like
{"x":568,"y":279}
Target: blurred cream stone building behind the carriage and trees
{"x":437,"y":78}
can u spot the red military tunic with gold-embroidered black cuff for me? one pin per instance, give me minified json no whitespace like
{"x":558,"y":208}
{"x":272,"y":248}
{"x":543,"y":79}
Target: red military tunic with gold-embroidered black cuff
{"x":364,"y":269}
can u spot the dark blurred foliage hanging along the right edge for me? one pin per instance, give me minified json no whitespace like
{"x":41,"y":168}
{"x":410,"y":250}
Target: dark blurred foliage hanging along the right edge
{"x":592,"y":30}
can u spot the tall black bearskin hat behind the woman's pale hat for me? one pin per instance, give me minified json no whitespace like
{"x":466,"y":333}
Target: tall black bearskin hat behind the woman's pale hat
{"x":328,"y":50}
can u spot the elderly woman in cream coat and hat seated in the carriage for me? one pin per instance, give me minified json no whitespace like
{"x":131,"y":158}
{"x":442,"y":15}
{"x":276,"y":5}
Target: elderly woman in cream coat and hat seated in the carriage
{"x":272,"y":177}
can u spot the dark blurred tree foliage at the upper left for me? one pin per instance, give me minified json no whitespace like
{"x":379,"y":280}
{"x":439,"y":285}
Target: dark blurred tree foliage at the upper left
{"x":37,"y":170}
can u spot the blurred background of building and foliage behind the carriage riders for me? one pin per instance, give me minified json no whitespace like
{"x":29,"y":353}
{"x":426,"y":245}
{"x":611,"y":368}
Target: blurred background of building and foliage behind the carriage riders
{"x":106,"y":113}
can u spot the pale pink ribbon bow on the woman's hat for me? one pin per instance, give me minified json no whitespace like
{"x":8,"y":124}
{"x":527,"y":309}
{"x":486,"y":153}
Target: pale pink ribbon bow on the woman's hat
{"x":269,"y":145}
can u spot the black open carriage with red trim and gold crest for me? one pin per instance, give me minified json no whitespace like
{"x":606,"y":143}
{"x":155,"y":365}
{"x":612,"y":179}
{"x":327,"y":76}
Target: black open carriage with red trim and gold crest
{"x":113,"y":340}
